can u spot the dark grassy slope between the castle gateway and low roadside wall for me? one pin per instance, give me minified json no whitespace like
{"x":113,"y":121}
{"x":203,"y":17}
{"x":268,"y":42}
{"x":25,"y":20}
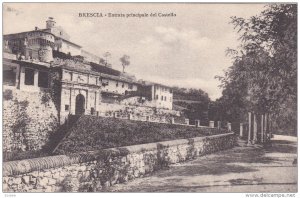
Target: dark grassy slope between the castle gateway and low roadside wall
{"x":93,"y":133}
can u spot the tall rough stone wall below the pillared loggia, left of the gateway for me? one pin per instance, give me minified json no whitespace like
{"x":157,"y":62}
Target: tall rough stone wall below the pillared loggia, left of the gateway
{"x":28,"y":119}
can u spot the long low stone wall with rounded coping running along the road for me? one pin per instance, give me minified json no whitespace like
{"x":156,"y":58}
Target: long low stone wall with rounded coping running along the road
{"x":93,"y":171}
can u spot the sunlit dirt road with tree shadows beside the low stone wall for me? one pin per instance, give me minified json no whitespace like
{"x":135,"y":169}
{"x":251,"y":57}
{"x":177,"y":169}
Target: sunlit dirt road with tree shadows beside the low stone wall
{"x":241,"y":169}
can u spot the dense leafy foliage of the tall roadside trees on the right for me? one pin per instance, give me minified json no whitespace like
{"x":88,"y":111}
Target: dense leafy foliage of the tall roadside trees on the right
{"x":263,"y":76}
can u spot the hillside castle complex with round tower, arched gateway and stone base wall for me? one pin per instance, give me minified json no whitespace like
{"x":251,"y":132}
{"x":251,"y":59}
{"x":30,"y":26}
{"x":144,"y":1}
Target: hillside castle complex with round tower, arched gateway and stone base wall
{"x":47,"y":77}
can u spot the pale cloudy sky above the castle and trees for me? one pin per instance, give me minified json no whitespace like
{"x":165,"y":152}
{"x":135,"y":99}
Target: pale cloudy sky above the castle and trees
{"x":186,"y":50}
